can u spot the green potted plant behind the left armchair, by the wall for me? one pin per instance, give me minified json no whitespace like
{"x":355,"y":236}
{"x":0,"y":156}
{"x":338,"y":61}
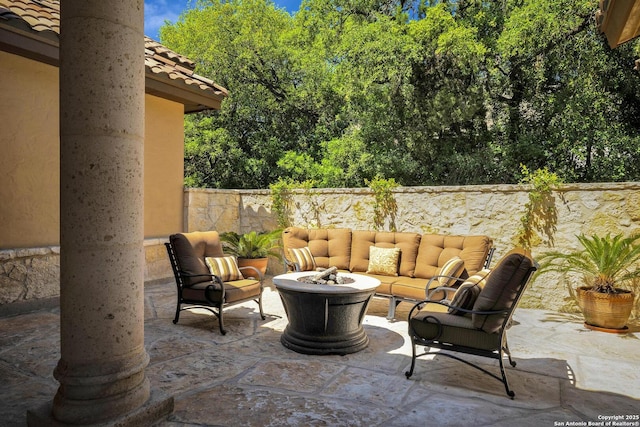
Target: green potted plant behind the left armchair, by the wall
{"x":253,"y":248}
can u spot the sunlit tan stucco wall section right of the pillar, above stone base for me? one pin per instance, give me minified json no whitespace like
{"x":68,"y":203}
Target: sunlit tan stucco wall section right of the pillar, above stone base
{"x":163,"y":167}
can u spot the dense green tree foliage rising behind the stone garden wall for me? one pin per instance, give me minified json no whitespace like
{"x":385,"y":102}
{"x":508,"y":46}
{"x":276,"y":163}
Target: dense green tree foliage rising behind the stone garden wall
{"x":426,"y":92}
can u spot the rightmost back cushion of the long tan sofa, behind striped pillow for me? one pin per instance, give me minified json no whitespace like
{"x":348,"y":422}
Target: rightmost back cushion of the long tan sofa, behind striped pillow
{"x":436,"y":249}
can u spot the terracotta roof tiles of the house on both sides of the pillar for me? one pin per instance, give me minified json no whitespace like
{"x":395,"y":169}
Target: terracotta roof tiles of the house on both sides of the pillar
{"x":43,"y":17}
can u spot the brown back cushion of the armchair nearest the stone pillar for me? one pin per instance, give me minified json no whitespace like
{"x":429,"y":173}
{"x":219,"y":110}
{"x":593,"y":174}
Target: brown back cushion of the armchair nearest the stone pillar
{"x":191,"y":249}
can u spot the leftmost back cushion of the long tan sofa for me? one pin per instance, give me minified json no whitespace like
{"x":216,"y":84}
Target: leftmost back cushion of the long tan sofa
{"x":329,"y":246}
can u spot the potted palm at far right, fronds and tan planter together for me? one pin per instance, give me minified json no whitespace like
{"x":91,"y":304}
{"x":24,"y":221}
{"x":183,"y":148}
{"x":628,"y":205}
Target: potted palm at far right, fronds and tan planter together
{"x":607,"y":265}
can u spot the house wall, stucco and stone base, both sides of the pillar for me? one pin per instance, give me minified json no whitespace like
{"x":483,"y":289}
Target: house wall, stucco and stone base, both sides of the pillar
{"x":30,"y":180}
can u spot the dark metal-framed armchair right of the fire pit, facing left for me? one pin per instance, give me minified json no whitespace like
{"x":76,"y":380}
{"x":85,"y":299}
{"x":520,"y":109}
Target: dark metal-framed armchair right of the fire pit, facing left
{"x":476,"y":319}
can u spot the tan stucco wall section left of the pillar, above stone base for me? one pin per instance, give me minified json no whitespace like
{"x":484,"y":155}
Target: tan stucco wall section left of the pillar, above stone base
{"x":29,"y":153}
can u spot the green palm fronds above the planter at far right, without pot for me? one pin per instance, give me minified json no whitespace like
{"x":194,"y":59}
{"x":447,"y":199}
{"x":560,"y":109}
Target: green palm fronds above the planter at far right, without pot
{"x":606,"y":262}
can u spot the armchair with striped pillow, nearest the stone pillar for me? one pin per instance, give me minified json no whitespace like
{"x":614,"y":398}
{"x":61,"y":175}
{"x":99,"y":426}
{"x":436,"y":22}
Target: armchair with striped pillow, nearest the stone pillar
{"x":194,"y":257}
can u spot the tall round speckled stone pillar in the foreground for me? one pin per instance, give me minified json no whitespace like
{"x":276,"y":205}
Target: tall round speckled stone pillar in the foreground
{"x":103,"y":359}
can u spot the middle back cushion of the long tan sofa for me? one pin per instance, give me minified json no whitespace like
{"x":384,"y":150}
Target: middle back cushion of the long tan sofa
{"x":407,"y":243}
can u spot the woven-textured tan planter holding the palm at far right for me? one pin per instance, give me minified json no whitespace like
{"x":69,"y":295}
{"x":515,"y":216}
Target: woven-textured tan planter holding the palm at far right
{"x":605,"y":311}
